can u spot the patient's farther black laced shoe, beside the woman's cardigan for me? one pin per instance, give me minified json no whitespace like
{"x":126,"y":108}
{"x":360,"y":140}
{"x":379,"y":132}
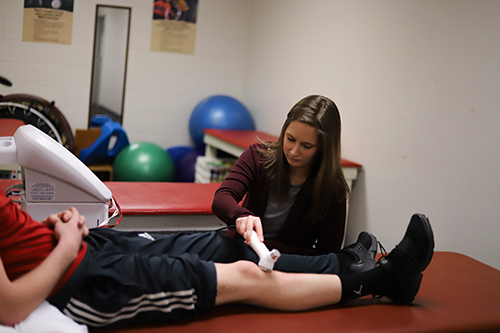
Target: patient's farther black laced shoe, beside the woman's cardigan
{"x":364,"y":254}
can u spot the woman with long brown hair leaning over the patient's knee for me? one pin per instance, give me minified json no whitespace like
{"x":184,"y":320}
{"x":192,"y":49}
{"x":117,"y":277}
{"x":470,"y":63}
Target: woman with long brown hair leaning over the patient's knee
{"x":294,"y":190}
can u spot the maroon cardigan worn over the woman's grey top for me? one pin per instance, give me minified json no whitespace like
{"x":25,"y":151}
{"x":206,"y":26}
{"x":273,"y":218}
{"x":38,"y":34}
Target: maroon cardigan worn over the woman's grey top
{"x":298,"y":235}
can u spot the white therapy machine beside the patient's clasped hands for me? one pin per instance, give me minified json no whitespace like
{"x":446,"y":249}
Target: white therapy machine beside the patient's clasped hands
{"x":53,"y":178}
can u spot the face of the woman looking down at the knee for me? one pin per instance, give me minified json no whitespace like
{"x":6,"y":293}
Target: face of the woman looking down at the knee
{"x":300,"y":145}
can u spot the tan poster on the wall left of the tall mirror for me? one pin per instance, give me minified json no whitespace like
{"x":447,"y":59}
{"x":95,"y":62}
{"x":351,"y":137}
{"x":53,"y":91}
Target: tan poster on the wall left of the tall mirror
{"x":48,"y":21}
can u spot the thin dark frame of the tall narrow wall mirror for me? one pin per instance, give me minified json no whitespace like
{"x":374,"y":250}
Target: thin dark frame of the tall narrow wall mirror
{"x":94,"y":60}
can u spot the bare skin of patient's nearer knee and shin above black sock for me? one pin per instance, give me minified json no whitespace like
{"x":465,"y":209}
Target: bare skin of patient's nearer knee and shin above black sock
{"x":245,"y":282}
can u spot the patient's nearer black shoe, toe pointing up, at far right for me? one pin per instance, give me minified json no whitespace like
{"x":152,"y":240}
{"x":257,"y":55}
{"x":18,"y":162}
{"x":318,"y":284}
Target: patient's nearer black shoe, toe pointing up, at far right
{"x":409,"y":259}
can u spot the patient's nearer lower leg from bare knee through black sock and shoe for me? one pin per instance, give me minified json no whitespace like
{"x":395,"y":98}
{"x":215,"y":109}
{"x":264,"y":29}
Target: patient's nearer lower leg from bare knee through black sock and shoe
{"x":397,"y":276}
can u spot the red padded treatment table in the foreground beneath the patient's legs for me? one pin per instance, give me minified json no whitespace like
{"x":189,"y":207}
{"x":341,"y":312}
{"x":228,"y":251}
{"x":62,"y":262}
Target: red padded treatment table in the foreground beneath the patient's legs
{"x":458,"y":294}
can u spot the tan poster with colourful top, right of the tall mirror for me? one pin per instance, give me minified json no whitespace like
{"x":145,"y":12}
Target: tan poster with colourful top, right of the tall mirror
{"x":174,"y":26}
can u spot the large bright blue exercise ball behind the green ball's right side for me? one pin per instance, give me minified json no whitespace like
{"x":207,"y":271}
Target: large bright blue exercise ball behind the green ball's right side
{"x":219,"y":112}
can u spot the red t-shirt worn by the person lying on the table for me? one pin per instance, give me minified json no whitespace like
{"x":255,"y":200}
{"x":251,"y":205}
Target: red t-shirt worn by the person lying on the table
{"x":25,"y":243}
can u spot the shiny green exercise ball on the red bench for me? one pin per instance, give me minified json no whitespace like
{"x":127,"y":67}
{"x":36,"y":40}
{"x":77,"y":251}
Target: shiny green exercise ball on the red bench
{"x":143,"y":162}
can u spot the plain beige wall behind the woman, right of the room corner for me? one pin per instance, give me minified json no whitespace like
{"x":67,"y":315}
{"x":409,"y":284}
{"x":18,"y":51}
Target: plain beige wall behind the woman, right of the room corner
{"x":418,"y":87}
